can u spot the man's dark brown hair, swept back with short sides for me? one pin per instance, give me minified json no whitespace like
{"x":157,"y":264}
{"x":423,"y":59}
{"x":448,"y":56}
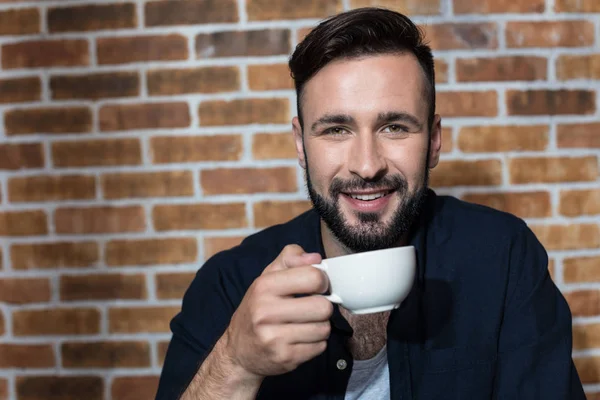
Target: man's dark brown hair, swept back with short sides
{"x":357,"y":33}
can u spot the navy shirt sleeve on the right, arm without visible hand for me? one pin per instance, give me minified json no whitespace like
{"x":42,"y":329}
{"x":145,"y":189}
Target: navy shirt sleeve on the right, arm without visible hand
{"x":535,"y":342}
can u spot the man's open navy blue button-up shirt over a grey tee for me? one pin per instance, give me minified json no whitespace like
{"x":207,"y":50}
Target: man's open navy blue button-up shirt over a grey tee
{"x":483,"y":320}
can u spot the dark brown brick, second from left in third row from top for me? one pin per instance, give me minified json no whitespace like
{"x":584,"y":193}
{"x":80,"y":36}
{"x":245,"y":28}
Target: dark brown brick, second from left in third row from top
{"x":95,"y":86}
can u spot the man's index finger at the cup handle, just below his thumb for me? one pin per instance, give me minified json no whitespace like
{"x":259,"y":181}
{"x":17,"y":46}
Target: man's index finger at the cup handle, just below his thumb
{"x":293,"y":281}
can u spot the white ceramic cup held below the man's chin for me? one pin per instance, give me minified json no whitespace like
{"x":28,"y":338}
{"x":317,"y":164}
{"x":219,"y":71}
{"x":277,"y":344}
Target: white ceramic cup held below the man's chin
{"x":373,"y":281}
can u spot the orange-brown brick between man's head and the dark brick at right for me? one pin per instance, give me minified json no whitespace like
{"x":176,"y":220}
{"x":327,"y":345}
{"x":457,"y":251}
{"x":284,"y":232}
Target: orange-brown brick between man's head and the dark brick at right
{"x":467,"y":104}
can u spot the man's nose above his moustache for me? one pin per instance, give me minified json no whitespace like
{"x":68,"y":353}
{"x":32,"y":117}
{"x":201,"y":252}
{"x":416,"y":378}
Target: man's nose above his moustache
{"x":366,"y":159}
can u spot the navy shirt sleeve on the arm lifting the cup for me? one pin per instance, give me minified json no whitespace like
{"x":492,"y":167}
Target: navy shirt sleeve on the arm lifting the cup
{"x":205,"y":314}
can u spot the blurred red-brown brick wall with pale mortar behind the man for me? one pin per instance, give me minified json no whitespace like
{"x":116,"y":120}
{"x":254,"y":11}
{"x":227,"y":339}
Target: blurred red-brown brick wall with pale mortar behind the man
{"x":138,"y":137}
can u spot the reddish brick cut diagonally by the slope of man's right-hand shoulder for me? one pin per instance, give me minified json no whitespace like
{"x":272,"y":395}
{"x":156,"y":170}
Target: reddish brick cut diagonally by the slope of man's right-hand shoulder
{"x":522,"y":204}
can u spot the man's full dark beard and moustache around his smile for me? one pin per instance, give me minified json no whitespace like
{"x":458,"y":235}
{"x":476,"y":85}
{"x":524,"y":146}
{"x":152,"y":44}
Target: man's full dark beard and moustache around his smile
{"x":370,"y":233}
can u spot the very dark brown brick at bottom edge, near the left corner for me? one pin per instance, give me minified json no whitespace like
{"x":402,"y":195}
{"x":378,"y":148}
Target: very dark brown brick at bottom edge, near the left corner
{"x":59,"y":387}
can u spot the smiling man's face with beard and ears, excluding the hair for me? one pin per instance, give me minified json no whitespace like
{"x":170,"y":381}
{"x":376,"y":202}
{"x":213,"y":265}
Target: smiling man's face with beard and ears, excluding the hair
{"x":366,"y":147}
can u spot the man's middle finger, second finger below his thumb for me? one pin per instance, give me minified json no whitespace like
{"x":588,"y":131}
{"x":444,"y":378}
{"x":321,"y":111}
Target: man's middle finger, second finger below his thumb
{"x":299,"y":310}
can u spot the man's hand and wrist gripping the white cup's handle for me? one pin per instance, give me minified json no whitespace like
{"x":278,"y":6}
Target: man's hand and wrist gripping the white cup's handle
{"x":273,"y":332}
